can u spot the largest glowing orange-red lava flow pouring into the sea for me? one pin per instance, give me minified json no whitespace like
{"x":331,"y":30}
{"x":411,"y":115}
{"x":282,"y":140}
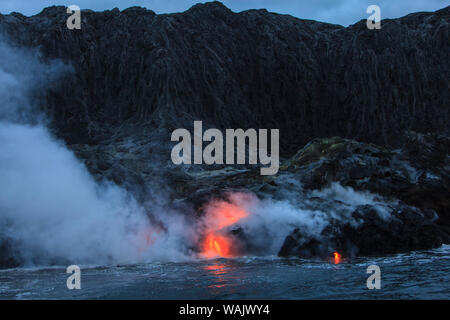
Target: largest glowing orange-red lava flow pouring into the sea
{"x":217,"y":243}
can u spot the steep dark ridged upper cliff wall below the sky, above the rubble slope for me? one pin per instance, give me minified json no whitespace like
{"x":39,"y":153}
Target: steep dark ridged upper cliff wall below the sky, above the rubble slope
{"x":249,"y":69}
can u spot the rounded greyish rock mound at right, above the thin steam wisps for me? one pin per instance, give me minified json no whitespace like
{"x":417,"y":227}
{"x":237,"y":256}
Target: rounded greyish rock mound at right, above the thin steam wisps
{"x":402,"y":174}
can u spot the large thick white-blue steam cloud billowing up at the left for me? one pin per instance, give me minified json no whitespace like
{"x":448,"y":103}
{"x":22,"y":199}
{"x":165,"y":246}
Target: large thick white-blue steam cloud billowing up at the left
{"x":50,"y":207}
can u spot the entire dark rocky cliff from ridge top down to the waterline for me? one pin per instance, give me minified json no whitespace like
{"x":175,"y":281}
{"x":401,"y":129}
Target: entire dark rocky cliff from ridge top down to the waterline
{"x":137,"y":76}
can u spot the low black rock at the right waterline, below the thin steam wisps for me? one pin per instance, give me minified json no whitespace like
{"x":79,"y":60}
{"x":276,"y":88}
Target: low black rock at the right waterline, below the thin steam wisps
{"x":407,"y":229}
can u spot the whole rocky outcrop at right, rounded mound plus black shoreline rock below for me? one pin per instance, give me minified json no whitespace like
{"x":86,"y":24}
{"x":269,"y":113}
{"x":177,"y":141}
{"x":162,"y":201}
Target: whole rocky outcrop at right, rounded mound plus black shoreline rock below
{"x":413,"y":181}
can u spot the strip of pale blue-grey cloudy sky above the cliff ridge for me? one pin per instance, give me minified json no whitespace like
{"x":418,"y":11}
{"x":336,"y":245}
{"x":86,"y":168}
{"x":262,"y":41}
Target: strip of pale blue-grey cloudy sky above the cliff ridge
{"x":344,"y":12}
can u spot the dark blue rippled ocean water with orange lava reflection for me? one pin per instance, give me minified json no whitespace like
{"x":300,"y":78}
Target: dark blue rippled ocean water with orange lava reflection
{"x":416,"y":275}
